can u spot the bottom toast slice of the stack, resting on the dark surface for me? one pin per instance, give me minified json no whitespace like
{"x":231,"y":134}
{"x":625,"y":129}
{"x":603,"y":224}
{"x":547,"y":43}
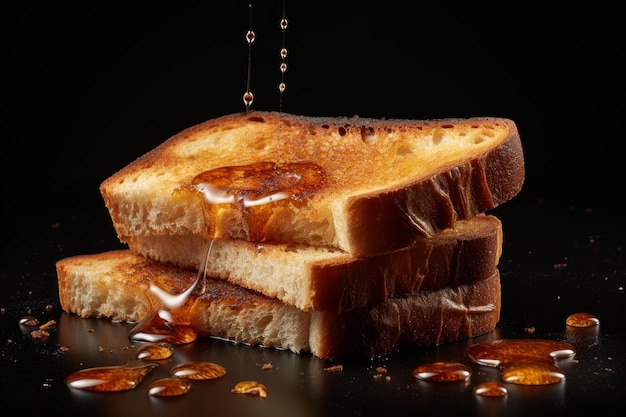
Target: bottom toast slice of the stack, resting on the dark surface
{"x":115,"y":285}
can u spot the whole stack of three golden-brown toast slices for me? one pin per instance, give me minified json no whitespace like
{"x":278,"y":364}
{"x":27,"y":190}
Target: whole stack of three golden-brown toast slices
{"x":342,"y":237}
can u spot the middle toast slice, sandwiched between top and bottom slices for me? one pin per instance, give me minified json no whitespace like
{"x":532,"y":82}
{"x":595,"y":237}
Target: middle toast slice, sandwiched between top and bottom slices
{"x":321,"y":279}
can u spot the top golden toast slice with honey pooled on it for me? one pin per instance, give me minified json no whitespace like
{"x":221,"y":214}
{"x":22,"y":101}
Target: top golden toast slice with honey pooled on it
{"x":360,"y":185}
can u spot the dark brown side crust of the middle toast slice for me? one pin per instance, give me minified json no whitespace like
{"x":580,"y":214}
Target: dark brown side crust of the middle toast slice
{"x":450,"y":258}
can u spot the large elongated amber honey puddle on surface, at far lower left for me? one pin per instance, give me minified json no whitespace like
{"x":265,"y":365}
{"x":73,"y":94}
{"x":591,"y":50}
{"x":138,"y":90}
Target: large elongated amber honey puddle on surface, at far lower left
{"x":110,"y":378}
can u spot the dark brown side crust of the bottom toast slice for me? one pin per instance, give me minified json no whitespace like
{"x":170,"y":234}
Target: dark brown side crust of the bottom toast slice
{"x":426,"y":318}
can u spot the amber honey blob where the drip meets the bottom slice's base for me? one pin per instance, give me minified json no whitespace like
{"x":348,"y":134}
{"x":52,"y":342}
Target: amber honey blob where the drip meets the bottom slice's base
{"x":155,"y":329}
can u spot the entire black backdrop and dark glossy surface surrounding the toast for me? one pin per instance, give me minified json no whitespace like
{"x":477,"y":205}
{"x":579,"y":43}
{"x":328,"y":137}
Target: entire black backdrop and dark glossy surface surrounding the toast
{"x":93,"y":85}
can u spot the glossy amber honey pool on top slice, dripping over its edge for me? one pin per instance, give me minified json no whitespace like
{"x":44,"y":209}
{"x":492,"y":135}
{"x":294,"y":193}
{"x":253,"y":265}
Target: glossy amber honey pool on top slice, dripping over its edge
{"x":241,"y":195}
